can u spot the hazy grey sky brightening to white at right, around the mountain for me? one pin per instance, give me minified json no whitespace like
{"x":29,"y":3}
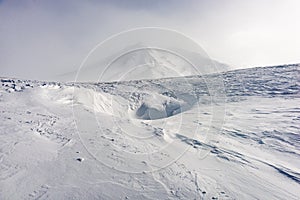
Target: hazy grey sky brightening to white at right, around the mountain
{"x":41,"y":39}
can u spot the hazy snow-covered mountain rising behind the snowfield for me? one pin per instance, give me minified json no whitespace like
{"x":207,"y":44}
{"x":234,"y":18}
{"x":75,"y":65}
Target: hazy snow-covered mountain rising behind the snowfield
{"x":142,"y":62}
